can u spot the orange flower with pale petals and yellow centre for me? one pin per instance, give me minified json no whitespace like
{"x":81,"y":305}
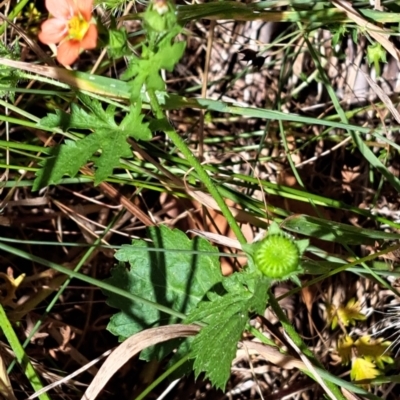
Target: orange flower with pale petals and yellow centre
{"x":72,"y":27}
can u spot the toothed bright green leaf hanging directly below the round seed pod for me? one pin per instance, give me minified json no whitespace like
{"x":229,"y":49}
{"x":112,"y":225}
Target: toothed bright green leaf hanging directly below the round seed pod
{"x":215,"y":346}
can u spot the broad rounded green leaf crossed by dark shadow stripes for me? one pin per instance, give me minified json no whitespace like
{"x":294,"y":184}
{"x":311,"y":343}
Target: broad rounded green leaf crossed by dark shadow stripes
{"x":178,"y":280}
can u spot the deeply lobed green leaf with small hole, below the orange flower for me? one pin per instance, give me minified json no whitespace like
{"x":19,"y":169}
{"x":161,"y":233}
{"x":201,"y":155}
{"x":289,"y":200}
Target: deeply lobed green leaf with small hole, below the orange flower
{"x":108,"y":140}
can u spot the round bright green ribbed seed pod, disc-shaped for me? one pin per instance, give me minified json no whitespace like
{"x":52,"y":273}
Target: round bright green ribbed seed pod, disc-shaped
{"x":277,"y":256}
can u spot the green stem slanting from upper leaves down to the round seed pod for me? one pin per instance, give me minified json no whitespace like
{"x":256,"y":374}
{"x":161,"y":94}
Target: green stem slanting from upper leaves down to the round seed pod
{"x":195,"y":163}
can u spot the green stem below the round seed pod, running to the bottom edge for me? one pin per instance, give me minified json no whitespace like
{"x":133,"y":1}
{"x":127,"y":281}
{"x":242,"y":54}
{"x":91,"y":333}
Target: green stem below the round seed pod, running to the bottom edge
{"x":298,"y":341}
